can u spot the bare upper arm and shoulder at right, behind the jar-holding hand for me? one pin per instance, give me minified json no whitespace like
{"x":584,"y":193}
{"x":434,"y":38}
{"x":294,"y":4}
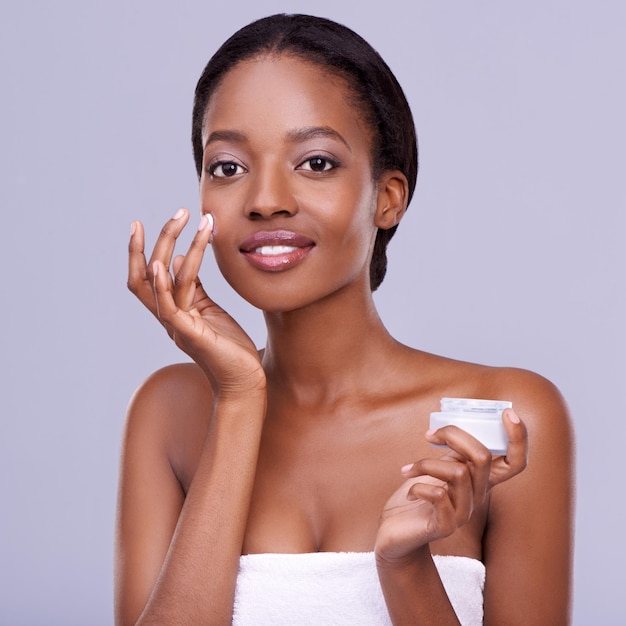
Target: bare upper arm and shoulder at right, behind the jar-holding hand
{"x":529,"y":535}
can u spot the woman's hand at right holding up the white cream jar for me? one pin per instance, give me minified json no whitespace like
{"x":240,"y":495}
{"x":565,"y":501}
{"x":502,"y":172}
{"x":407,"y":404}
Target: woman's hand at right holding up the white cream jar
{"x":440,"y":494}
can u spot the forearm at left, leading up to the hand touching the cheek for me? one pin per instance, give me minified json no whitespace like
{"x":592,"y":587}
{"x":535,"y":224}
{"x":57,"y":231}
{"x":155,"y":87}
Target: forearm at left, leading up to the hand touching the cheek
{"x":197,"y":580}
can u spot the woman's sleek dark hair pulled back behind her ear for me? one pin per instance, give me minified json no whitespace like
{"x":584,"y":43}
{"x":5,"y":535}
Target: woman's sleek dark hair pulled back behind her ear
{"x":339,"y":50}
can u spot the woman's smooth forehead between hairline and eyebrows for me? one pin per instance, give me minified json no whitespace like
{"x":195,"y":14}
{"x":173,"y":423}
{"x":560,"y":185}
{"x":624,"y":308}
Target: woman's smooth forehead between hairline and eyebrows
{"x":283,"y":91}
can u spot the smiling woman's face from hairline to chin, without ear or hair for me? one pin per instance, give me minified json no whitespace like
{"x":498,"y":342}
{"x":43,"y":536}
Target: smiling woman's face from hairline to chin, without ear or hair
{"x":287,"y":177}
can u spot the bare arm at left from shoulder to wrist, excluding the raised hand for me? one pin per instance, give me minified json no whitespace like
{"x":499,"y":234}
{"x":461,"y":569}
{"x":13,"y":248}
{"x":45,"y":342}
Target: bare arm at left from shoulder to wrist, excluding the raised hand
{"x":177,"y":556}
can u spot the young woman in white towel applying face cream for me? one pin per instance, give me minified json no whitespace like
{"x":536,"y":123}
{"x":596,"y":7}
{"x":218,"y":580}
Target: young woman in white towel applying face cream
{"x":299,"y":484}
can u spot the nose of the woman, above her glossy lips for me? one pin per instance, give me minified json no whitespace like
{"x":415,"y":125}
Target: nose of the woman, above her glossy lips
{"x":270,"y":193}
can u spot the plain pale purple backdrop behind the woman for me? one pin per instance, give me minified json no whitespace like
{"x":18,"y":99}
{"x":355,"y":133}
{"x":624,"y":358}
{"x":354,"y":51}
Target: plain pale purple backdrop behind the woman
{"x":512,"y":252}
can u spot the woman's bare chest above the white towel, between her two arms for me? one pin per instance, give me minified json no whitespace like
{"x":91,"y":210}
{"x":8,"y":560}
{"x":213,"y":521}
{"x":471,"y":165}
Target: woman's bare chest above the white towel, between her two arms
{"x":323,"y":486}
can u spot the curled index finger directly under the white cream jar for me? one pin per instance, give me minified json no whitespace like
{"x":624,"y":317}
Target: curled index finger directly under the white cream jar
{"x":465,"y":447}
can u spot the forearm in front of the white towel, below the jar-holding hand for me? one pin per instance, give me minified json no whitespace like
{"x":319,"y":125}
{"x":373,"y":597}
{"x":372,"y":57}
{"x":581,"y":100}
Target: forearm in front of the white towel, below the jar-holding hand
{"x":414,"y":593}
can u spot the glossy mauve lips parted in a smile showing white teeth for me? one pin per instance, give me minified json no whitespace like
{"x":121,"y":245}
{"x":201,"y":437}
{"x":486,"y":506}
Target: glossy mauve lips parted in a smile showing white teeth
{"x":289,"y":249}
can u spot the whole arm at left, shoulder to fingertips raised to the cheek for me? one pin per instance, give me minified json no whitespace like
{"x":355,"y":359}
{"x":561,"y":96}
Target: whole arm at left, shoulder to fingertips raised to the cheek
{"x":177,"y":555}
